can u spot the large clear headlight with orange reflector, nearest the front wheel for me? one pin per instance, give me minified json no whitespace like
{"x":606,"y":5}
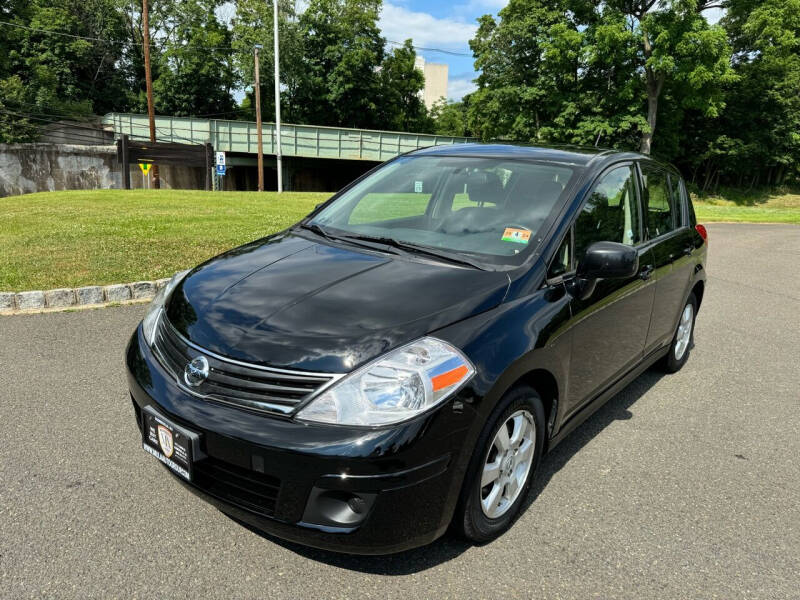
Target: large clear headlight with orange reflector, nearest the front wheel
{"x":400,"y":385}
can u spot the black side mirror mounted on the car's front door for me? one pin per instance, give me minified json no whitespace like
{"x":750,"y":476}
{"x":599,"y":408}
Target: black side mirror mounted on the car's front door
{"x":604,"y":260}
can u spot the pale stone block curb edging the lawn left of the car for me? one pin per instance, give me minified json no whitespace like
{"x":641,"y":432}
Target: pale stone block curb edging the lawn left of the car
{"x":87,"y":296}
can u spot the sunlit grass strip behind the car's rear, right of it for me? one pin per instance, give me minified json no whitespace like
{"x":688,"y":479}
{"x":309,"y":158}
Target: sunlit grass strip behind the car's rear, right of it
{"x":741,"y":207}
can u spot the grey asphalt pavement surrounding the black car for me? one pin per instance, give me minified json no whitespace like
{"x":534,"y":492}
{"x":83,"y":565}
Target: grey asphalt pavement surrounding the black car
{"x":683,"y":486}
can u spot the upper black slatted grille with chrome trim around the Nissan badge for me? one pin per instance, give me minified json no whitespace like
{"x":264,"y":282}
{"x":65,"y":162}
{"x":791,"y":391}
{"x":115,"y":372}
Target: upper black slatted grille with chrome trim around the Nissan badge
{"x":253,"y":387}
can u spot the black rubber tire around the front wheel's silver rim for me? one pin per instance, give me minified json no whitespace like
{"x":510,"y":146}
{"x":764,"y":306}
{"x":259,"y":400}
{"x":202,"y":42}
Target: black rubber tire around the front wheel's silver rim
{"x":470,"y":519}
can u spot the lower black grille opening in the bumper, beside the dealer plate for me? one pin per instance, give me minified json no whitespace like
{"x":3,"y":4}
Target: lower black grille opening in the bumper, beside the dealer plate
{"x":254,"y":491}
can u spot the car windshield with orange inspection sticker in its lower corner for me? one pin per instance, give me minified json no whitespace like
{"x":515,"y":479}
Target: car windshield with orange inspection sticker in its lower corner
{"x":491,"y":208}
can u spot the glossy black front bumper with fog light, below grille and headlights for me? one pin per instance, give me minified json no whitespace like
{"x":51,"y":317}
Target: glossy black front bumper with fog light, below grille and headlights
{"x":355,"y":490}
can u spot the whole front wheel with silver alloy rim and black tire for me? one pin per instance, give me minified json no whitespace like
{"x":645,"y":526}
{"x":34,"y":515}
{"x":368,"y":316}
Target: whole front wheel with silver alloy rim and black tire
{"x":502,"y":466}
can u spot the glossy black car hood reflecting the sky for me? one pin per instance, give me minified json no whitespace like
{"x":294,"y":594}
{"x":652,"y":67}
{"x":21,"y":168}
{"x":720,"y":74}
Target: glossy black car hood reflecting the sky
{"x":287,"y":301}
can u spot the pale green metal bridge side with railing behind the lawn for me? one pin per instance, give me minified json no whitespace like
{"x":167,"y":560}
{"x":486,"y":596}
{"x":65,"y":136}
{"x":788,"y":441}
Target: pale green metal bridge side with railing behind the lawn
{"x":296,"y":140}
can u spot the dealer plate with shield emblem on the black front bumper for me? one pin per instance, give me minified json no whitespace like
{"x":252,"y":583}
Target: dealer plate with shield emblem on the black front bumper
{"x":173,"y":445}
